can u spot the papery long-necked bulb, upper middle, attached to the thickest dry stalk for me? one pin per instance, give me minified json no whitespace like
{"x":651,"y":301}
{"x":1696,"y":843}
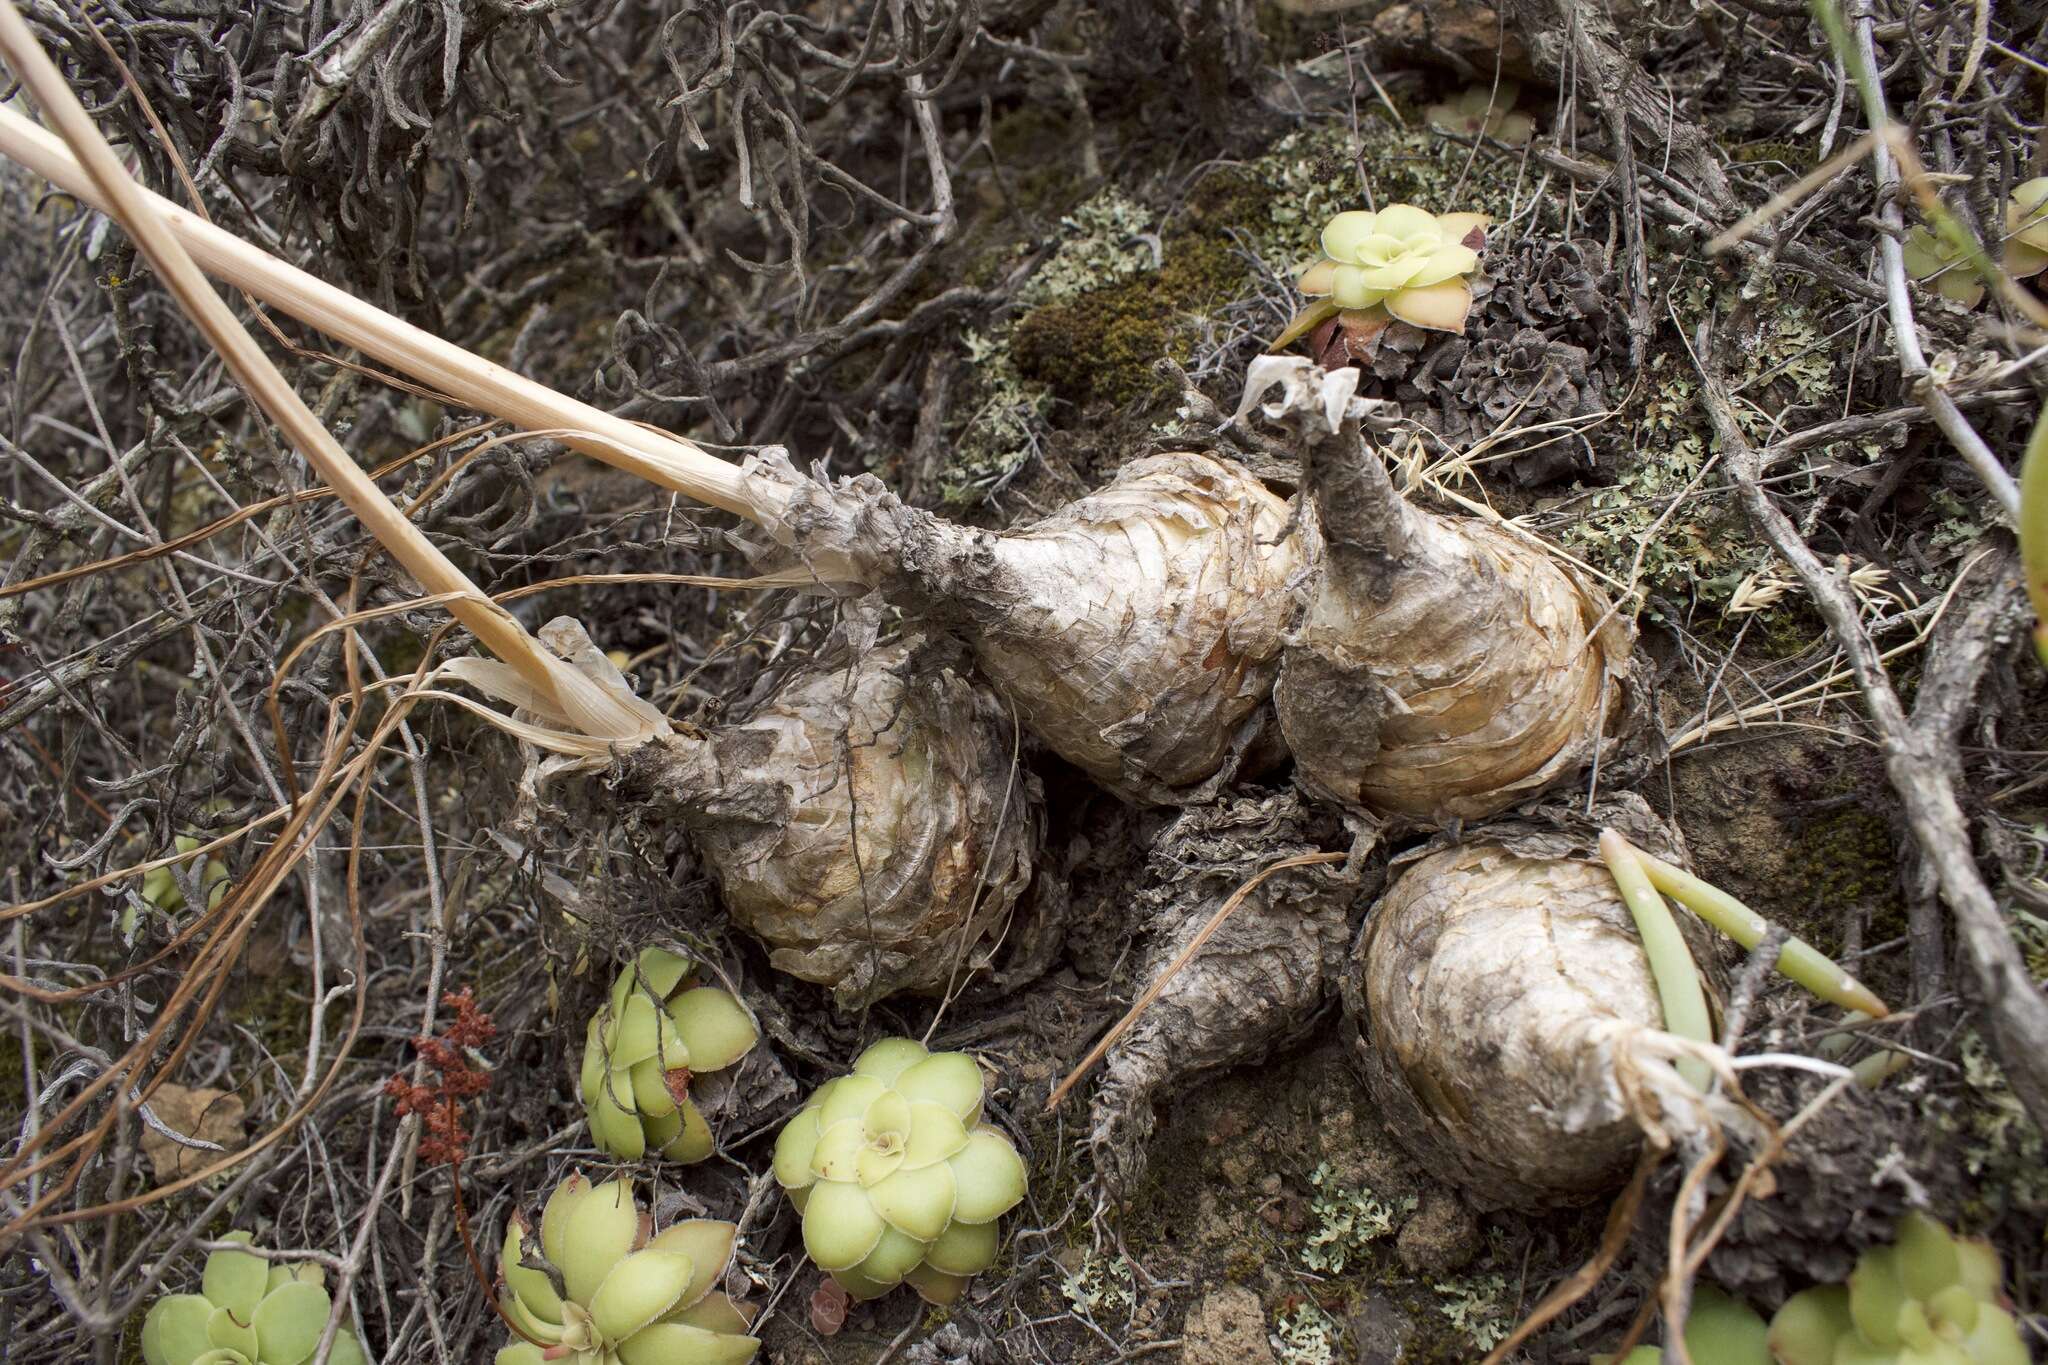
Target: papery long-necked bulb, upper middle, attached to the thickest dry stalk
{"x":1138,"y":629}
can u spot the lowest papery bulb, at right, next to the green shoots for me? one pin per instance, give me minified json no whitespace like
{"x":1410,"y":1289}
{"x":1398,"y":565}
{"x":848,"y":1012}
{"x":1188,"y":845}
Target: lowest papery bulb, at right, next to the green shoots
{"x":1494,"y":987}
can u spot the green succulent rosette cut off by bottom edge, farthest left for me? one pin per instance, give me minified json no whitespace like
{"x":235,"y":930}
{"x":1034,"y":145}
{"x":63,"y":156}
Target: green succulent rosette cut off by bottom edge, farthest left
{"x":247,"y":1313}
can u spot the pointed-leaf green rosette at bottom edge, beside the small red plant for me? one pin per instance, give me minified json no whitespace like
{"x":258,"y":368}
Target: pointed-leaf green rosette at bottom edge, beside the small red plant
{"x":603,"y":1288}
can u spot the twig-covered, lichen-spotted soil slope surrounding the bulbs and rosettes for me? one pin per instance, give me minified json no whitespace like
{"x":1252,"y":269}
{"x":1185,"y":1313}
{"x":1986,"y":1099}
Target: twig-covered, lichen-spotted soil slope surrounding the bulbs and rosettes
{"x":572,"y":193}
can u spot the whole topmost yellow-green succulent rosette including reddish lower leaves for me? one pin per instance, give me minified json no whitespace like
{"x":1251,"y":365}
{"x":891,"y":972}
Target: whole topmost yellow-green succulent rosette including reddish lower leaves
{"x":1377,"y":269}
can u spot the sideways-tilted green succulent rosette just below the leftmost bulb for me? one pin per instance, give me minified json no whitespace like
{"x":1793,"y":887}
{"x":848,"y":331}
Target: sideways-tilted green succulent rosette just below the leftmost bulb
{"x":644,"y":1049}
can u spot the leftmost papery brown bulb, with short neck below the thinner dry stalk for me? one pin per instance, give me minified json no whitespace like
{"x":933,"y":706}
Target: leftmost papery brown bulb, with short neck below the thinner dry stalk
{"x":867,"y":826}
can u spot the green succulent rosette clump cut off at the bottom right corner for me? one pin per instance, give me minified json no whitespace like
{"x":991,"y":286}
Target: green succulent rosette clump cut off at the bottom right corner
{"x":1930,"y":1298}
